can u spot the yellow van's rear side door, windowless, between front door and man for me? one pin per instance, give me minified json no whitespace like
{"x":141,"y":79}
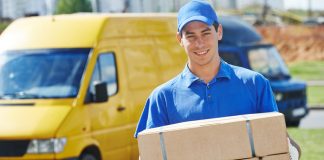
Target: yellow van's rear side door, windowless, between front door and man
{"x":142,"y":74}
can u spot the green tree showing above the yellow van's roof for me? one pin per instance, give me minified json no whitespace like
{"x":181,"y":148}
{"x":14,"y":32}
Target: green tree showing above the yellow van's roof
{"x":73,"y":6}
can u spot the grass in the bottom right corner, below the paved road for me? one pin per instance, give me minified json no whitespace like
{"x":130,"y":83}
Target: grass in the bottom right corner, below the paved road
{"x":311,"y":142}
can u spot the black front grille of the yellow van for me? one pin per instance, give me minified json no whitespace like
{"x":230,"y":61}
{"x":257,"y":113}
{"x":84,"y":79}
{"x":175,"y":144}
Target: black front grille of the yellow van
{"x":13,"y":148}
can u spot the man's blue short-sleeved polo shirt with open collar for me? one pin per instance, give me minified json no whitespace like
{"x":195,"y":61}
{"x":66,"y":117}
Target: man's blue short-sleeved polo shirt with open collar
{"x":233,"y":91}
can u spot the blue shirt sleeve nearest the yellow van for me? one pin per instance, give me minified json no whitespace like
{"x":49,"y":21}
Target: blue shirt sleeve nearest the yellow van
{"x":154,"y":113}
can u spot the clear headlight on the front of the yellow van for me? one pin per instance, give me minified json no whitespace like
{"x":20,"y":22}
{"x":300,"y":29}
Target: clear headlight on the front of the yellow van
{"x":53,"y":145}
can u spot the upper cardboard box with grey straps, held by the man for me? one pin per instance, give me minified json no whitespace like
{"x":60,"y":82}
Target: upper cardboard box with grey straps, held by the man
{"x":219,"y":138}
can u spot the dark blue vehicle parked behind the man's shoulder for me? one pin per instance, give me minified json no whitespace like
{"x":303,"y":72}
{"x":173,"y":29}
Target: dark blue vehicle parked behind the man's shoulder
{"x":242,"y":46}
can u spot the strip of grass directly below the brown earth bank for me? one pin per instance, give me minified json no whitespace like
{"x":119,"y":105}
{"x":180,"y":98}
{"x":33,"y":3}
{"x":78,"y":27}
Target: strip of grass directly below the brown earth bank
{"x":308,"y":70}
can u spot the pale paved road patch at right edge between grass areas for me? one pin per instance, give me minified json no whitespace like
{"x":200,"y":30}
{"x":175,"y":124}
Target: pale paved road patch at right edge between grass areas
{"x":315,"y":119}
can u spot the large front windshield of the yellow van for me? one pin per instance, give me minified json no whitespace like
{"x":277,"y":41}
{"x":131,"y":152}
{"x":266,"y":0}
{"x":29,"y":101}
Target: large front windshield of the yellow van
{"x":43,"y":73}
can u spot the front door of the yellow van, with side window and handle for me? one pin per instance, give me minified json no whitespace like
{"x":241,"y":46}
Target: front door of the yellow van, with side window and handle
{"x":109,"y":120}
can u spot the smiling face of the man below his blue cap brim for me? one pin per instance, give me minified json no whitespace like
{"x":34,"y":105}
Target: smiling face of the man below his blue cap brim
{"x":200,"y":42}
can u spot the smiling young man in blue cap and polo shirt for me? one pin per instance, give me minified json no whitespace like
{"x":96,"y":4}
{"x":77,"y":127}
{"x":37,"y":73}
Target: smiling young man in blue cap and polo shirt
{"x":208,"y":87}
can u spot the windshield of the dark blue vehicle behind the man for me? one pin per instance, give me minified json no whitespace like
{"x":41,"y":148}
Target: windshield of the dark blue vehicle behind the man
{"x":268,"y":62}
